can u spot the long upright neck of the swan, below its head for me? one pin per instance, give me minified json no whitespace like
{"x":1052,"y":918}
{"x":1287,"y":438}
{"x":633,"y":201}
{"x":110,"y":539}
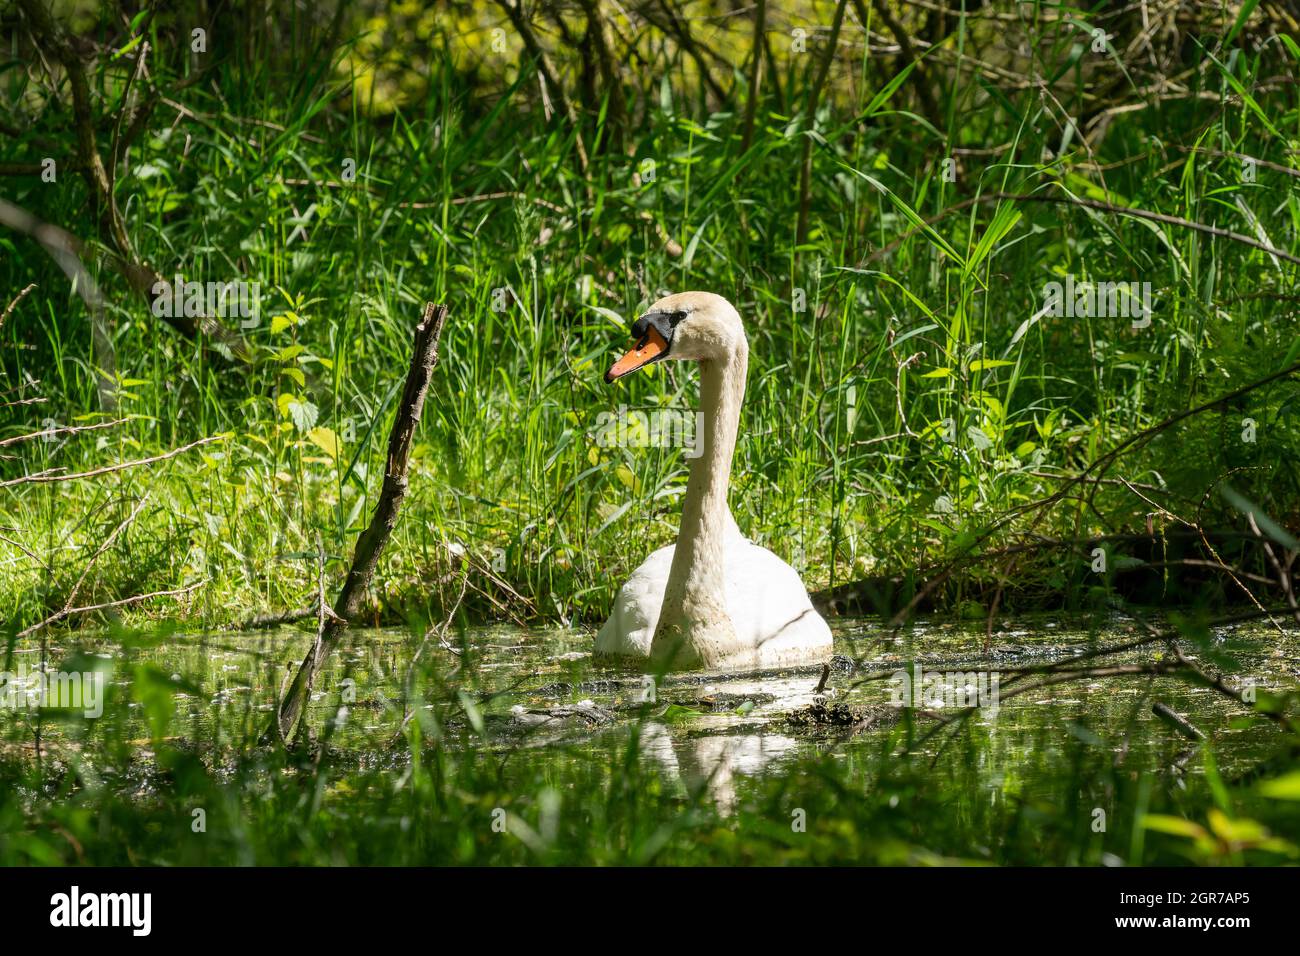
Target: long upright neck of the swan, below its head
{"x":694,"y":621}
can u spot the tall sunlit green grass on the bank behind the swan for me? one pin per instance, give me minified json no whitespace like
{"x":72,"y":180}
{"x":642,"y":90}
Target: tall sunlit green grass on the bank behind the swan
{"x":843,"y":465}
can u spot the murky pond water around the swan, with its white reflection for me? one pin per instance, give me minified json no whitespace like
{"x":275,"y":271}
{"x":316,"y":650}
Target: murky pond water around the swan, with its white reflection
{"x":535,"y":697}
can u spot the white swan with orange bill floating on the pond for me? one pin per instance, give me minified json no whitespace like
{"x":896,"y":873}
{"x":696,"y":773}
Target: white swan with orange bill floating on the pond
{"x":714,"y":600}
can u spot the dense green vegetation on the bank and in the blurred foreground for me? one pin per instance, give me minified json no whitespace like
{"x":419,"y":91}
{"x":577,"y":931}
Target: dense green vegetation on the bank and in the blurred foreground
{"x":913,"y":412}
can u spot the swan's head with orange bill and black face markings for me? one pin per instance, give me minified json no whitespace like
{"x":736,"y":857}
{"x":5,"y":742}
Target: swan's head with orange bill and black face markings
{"x":694,"y":327}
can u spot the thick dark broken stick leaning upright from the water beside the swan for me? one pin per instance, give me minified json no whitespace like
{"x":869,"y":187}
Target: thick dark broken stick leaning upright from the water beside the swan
{"x":372,"y":542}
